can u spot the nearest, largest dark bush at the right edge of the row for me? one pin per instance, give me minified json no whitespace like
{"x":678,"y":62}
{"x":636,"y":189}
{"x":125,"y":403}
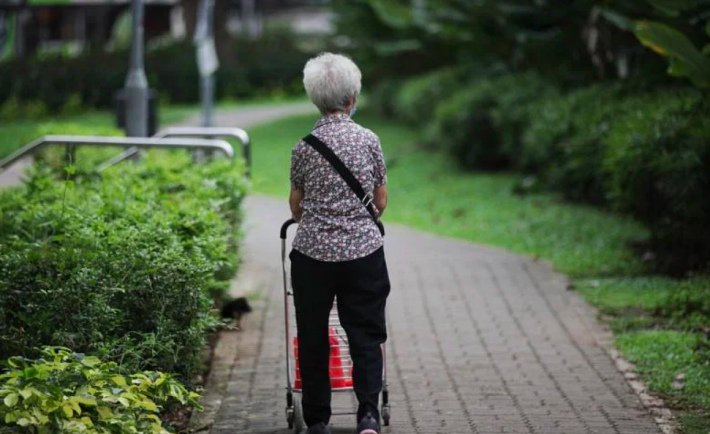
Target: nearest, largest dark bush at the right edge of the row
{"x":642,"y":153}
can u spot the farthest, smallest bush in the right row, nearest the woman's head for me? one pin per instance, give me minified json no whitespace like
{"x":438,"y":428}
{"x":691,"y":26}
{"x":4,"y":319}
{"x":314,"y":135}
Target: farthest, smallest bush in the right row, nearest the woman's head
{"x":417,"y":98}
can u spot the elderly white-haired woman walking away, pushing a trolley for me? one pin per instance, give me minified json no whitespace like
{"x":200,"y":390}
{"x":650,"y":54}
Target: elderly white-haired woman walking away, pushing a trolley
{"x":338,"y":250}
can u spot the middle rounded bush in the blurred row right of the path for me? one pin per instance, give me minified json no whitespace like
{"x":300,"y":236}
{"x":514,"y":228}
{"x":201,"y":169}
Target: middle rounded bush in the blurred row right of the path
{"x":482,"y":124}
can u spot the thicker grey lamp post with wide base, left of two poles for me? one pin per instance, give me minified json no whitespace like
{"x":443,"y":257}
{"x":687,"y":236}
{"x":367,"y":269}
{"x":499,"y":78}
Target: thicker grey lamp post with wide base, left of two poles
{"x":136,"y":81}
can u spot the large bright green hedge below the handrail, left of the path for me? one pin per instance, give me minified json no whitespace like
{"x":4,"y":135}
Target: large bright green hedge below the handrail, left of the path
{"x":120,"y":265}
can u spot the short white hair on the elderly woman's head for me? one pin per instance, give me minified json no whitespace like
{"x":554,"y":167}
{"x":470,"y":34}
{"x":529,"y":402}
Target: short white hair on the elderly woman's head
{"x":330,"y":81}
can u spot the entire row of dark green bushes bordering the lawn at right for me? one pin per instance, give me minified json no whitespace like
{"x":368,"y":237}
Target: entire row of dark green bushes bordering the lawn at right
{"x":624,"y":145}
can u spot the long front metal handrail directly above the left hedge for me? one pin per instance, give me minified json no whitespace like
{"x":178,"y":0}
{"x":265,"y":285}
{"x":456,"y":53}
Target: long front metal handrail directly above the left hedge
{"x":126,"y":142}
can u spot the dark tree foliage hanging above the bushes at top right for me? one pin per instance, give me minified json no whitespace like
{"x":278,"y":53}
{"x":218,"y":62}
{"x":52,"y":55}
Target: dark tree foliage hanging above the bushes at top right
{"x":571,"y":40}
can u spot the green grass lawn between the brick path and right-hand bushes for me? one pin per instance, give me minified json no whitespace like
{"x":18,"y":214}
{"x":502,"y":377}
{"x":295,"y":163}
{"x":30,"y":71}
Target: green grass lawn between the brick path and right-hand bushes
{"x":651,"y":316}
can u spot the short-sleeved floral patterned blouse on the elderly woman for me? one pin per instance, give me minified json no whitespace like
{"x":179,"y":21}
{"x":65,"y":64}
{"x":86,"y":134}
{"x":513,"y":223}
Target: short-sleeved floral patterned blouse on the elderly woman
{"x":336,"y":226}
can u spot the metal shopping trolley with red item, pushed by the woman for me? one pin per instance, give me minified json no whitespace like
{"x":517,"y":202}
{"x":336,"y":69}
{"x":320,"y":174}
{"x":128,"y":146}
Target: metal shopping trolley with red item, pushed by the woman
{"x":340,"y":362}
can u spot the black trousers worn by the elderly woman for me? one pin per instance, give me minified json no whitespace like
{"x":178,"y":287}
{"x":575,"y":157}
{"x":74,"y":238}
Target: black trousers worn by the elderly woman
{"x":361,"y":287}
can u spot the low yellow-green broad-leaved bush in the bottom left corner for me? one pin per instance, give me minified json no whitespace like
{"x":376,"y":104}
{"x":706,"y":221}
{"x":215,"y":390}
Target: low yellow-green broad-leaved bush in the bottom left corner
{"x":71,"y":393}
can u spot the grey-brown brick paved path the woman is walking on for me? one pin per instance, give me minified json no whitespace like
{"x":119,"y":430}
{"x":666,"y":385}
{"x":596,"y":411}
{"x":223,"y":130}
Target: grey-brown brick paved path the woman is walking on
{"x":481,"y":341}
